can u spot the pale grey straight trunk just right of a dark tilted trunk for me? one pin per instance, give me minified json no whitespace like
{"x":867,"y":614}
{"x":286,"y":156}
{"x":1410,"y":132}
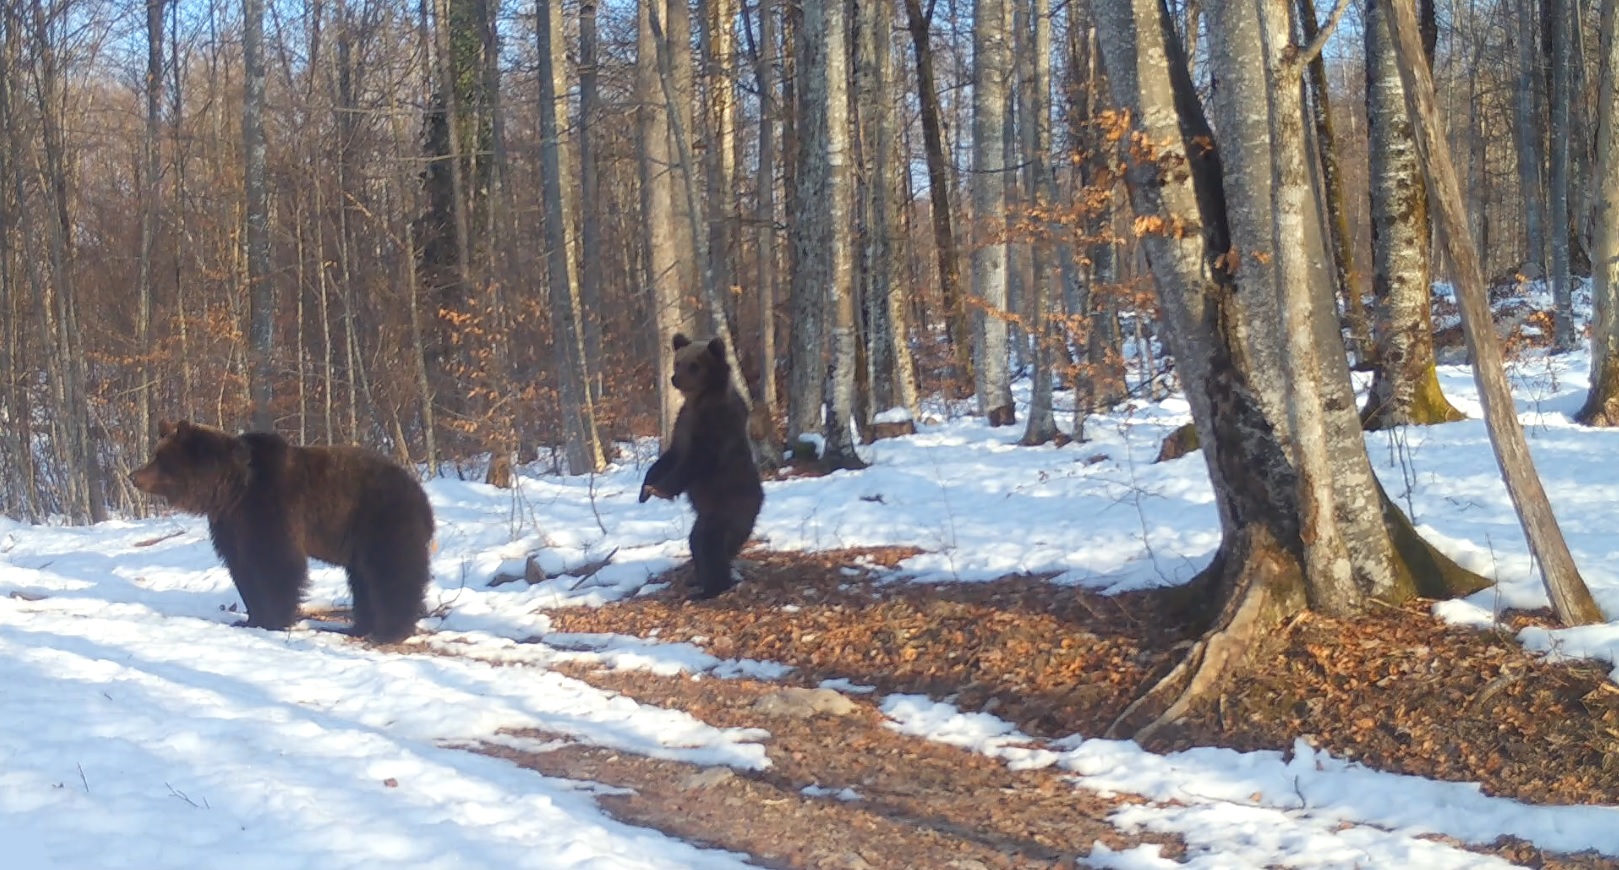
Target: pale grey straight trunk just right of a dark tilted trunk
{"x":992,"y":64}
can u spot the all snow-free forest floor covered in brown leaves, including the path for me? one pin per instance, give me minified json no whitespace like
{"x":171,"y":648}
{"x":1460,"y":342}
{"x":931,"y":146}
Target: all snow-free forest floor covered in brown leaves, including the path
{"x":1398,"y":691}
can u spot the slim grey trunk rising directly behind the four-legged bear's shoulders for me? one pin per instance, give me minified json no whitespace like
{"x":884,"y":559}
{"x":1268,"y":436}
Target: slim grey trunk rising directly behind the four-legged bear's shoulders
{"x":261,"y":289}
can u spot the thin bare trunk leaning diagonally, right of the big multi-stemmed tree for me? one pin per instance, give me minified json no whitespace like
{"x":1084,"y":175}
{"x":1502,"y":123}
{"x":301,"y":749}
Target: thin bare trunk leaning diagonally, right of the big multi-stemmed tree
{"x":1565,"y":586}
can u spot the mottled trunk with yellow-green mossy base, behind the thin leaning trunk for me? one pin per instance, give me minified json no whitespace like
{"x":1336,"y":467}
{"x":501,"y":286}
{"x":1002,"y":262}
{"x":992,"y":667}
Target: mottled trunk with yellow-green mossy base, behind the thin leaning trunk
{"x":1404,"y":385}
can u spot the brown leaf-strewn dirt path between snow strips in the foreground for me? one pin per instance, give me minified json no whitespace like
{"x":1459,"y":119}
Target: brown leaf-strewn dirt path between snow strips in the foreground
{"x":841,"y":791}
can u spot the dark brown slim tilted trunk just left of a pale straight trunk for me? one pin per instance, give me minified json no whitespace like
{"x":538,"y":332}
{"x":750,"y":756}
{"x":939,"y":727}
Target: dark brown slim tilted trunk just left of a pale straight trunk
{"x":940,"y":195}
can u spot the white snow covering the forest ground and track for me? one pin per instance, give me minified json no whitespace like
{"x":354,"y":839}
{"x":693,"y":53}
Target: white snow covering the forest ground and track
{"x":138,"y":728}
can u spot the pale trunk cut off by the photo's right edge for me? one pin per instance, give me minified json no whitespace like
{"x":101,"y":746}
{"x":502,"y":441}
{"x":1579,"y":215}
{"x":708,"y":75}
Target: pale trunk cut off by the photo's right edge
{"x":1602,"y":406}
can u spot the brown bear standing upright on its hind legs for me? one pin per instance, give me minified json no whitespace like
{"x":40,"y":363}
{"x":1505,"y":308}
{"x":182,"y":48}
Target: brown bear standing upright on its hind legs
{"x":710,"y":461}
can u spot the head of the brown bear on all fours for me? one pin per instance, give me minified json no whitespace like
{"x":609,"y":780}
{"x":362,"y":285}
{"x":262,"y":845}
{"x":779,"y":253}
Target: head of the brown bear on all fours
{"x":195,"y":469}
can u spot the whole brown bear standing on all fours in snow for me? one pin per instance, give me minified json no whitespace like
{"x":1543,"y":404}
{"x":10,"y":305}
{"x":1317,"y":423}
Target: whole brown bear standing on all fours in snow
{"x":271,"y":505}
